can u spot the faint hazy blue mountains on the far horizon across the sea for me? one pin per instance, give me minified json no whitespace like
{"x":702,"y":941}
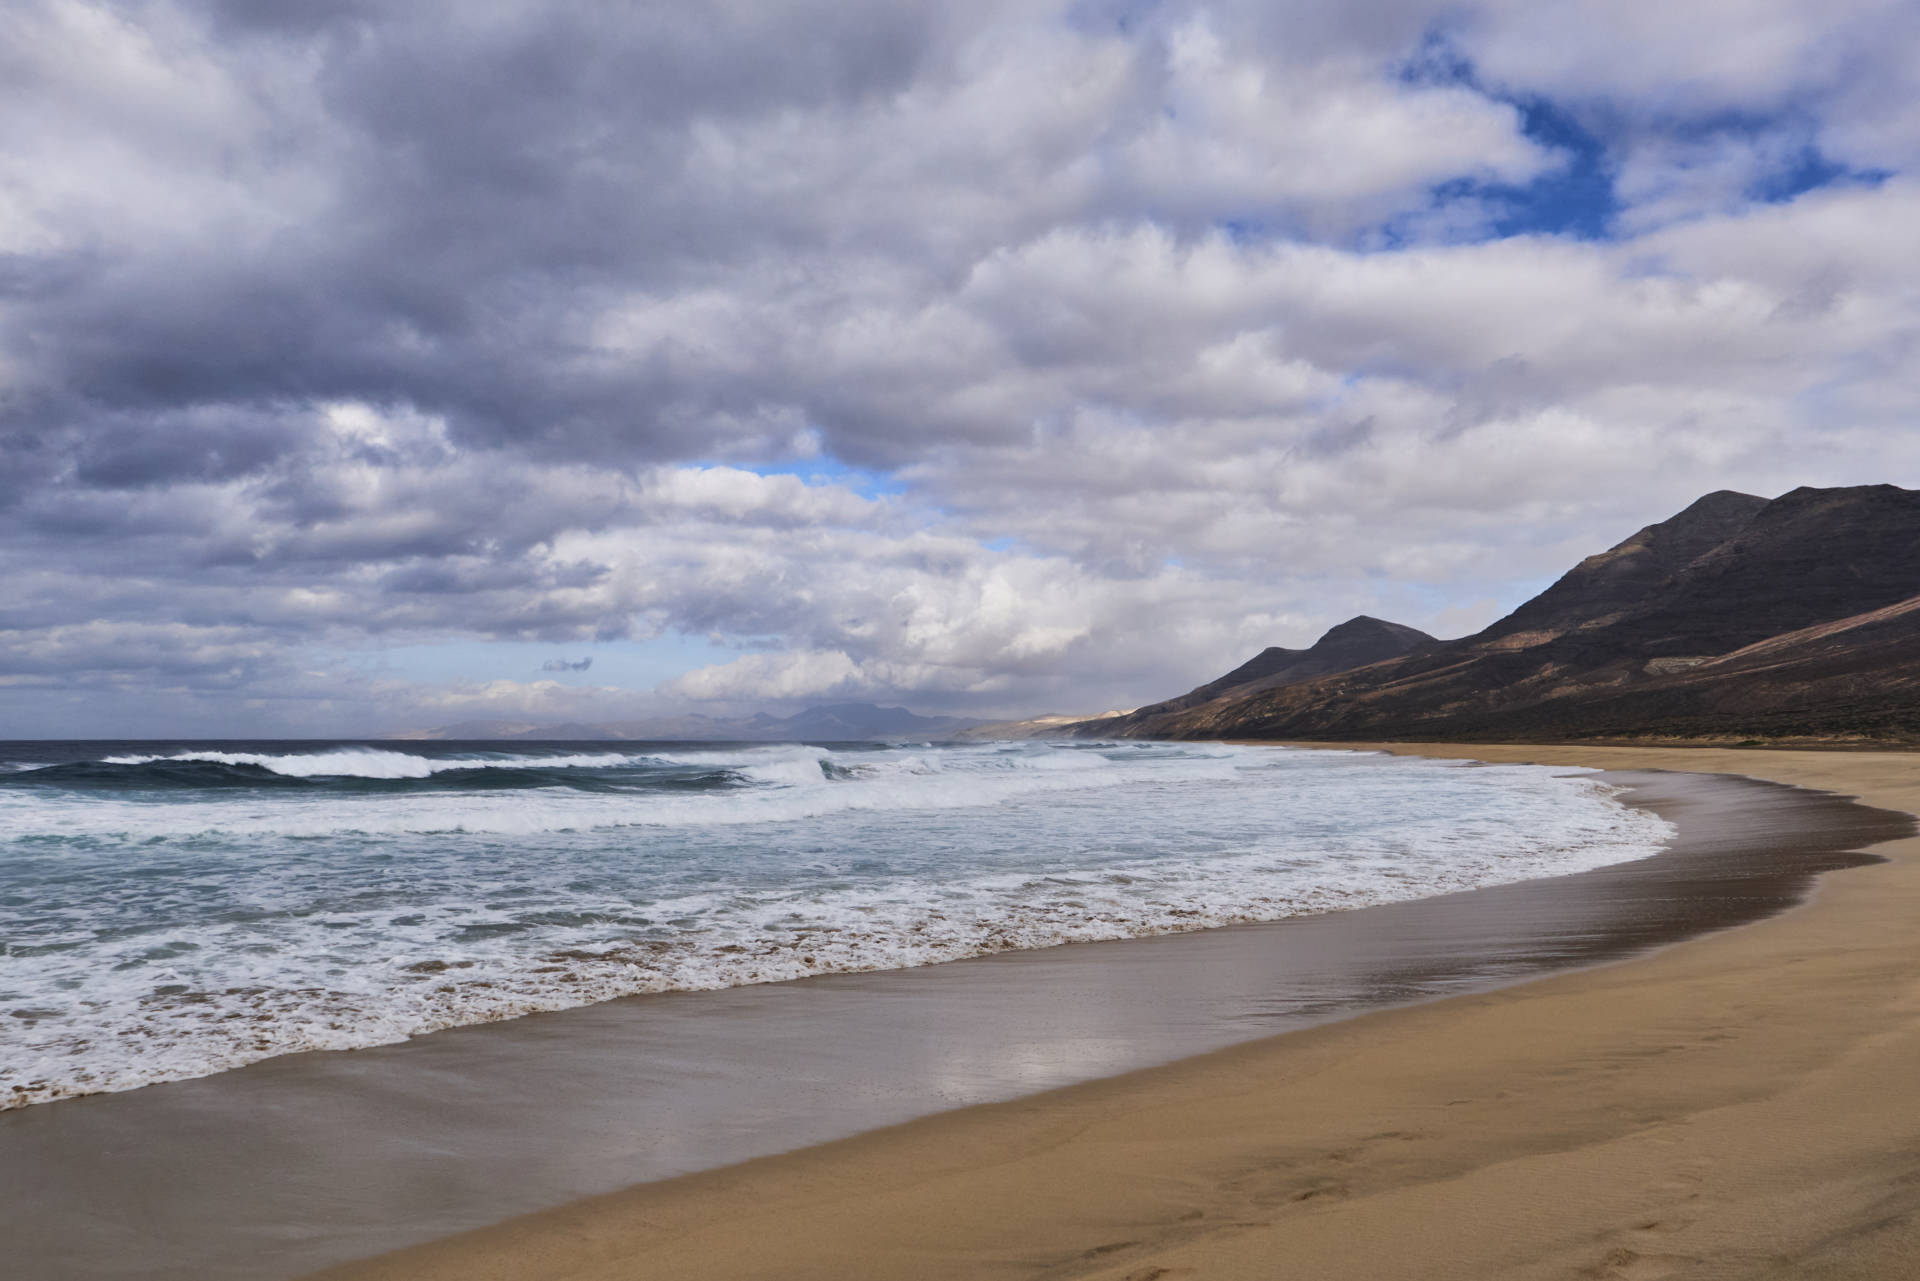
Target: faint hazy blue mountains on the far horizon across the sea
{"x":834,"y":723}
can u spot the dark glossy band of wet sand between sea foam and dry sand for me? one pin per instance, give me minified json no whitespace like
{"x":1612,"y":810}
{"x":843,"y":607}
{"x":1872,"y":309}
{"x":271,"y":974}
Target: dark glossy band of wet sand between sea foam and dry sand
{"x":314,"y":1159}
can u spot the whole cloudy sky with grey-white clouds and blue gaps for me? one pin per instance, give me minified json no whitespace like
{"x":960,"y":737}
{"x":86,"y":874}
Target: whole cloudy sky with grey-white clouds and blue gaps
{"x":383,"y":366}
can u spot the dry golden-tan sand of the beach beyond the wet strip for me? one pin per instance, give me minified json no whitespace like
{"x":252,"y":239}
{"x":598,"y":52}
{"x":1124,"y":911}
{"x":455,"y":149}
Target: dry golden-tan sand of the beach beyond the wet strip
{"x":1744,"y":1105}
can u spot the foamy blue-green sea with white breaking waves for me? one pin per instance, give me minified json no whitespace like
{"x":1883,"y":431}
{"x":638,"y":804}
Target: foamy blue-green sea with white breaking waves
{"x":172,"y":911}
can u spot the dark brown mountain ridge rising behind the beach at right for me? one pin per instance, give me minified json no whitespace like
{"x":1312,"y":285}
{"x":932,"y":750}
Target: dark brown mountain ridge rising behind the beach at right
{"x":1737,"y":619}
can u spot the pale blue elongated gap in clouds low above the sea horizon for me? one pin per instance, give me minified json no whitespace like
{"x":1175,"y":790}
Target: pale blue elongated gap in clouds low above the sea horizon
{"x":627,"y":664}
